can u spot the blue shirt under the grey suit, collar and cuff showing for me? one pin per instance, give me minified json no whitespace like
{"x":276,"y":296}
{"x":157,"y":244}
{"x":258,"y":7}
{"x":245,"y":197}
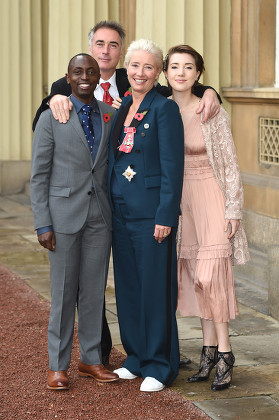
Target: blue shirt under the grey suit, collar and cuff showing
{"x":97,"y":126}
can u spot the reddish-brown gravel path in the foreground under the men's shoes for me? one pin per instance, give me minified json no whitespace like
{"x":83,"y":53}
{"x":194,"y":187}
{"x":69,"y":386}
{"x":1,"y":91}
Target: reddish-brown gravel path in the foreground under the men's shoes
{"x":23,"y":361}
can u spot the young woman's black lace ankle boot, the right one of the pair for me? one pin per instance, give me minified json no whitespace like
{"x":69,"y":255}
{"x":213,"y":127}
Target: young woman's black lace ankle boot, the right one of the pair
{"x":224,"y":369}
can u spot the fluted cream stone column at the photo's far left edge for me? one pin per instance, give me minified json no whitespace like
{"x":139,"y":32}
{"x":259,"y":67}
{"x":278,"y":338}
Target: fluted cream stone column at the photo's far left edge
{"x":21,"y":87}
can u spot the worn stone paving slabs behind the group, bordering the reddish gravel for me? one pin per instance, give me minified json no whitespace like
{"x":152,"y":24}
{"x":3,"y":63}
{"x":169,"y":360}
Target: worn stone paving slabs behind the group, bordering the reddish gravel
{"x":254,"y":393}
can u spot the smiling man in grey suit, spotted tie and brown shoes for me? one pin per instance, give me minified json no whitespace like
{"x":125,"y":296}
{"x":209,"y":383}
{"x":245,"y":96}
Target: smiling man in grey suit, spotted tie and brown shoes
{"x":73,"y":221}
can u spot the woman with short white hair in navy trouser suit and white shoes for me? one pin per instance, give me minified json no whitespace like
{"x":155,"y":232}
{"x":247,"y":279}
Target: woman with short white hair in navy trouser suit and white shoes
{"x":145,"y":182}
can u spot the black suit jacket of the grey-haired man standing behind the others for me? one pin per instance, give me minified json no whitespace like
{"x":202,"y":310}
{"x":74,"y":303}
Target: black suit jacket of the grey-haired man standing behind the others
{"x":63,"y":88}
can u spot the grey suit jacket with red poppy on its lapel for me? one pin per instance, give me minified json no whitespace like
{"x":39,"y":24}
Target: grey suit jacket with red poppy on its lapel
{"x":62,"y":172}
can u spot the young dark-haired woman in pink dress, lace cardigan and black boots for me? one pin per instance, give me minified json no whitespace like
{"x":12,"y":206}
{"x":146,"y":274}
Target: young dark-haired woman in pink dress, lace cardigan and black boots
{"x":211,"y":236}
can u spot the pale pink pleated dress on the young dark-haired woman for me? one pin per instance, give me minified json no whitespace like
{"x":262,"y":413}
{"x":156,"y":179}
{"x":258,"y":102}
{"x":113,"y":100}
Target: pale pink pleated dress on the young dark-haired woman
{"x":205,"y":277}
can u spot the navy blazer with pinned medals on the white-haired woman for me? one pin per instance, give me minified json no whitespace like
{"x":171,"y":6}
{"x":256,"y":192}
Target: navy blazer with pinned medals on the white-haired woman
{"x":157,"y":158}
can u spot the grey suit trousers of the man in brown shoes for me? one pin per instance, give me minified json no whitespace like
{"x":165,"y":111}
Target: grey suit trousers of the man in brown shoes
{"x":78,"y":274}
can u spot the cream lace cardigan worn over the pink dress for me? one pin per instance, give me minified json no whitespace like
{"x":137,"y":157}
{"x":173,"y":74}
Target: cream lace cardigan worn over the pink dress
{"x":222,"y":158}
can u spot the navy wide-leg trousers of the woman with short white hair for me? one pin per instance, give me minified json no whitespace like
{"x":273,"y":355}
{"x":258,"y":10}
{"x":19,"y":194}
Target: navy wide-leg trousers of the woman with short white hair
{"x":146,"y":293}
